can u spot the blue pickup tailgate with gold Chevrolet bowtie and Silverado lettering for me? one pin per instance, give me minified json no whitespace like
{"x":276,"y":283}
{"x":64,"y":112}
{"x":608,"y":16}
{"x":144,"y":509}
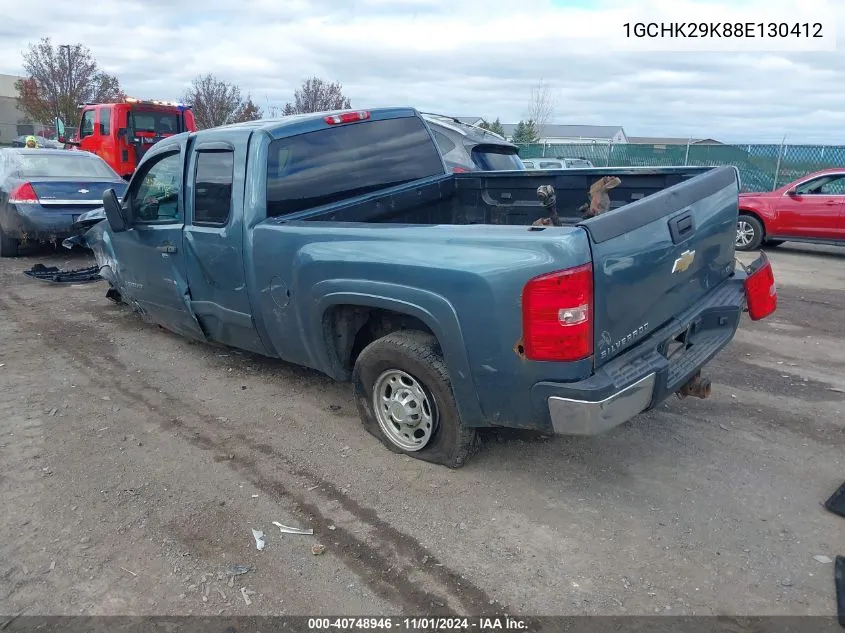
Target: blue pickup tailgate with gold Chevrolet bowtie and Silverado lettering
{"x":656,"y":257}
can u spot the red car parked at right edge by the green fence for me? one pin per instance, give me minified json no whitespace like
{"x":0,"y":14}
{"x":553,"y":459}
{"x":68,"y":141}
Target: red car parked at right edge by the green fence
{"x":810,"y":209}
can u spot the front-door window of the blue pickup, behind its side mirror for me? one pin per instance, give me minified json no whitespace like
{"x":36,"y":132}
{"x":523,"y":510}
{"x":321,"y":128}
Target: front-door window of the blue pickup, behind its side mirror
{"x":156,"y":198}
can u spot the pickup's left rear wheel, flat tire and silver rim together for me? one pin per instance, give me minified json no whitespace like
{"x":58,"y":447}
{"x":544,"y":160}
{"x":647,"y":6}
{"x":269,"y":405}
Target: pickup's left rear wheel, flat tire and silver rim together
{"x":404,"y":397}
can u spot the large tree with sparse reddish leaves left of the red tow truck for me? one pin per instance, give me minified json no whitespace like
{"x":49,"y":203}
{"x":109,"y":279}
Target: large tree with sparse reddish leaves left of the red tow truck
{"x":59,"y":78}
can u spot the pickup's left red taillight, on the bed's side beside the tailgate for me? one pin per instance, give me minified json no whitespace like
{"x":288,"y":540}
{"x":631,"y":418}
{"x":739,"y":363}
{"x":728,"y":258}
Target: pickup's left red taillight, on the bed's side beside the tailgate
{"x":557,"y":315}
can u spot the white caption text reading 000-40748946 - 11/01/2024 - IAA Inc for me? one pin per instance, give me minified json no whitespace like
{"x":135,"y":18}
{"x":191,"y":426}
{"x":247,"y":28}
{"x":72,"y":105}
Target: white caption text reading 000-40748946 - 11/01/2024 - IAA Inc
{"x":491,"y":623}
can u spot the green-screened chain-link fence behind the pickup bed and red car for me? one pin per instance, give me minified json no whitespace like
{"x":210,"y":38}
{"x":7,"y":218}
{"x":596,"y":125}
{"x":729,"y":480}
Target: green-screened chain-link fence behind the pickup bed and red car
{"x":761,"y":167}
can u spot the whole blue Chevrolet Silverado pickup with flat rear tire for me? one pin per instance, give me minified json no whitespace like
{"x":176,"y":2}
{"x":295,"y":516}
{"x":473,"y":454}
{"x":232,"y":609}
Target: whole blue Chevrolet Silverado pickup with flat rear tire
{"x":339,"y":241}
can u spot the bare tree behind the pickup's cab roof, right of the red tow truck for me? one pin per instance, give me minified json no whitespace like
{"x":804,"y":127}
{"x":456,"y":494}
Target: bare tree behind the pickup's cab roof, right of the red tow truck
{"x":217,"y":102}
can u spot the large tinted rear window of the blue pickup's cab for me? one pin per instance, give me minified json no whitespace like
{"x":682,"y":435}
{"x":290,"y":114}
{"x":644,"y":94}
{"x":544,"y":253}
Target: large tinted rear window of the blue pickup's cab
{"x":317,"y":168}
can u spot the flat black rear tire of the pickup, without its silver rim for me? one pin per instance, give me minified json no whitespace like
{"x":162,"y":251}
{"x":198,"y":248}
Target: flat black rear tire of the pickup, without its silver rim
{"x":418,"y":354}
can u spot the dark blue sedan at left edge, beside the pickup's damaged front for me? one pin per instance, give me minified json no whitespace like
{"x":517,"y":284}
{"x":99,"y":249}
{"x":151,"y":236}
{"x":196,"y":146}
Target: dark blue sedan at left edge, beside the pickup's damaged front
{"x":43,"y":191}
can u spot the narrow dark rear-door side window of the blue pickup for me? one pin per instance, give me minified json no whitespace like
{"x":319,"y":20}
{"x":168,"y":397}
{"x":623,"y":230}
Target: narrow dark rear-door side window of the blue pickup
{"x":213,"y":188}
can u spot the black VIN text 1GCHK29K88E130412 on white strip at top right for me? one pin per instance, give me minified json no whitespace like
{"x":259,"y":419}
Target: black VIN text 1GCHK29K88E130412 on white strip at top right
{"x":719,"y":30}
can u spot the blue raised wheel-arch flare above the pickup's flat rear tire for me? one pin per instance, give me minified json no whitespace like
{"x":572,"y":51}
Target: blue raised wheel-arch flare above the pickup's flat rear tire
{"x":432,"y":309}
